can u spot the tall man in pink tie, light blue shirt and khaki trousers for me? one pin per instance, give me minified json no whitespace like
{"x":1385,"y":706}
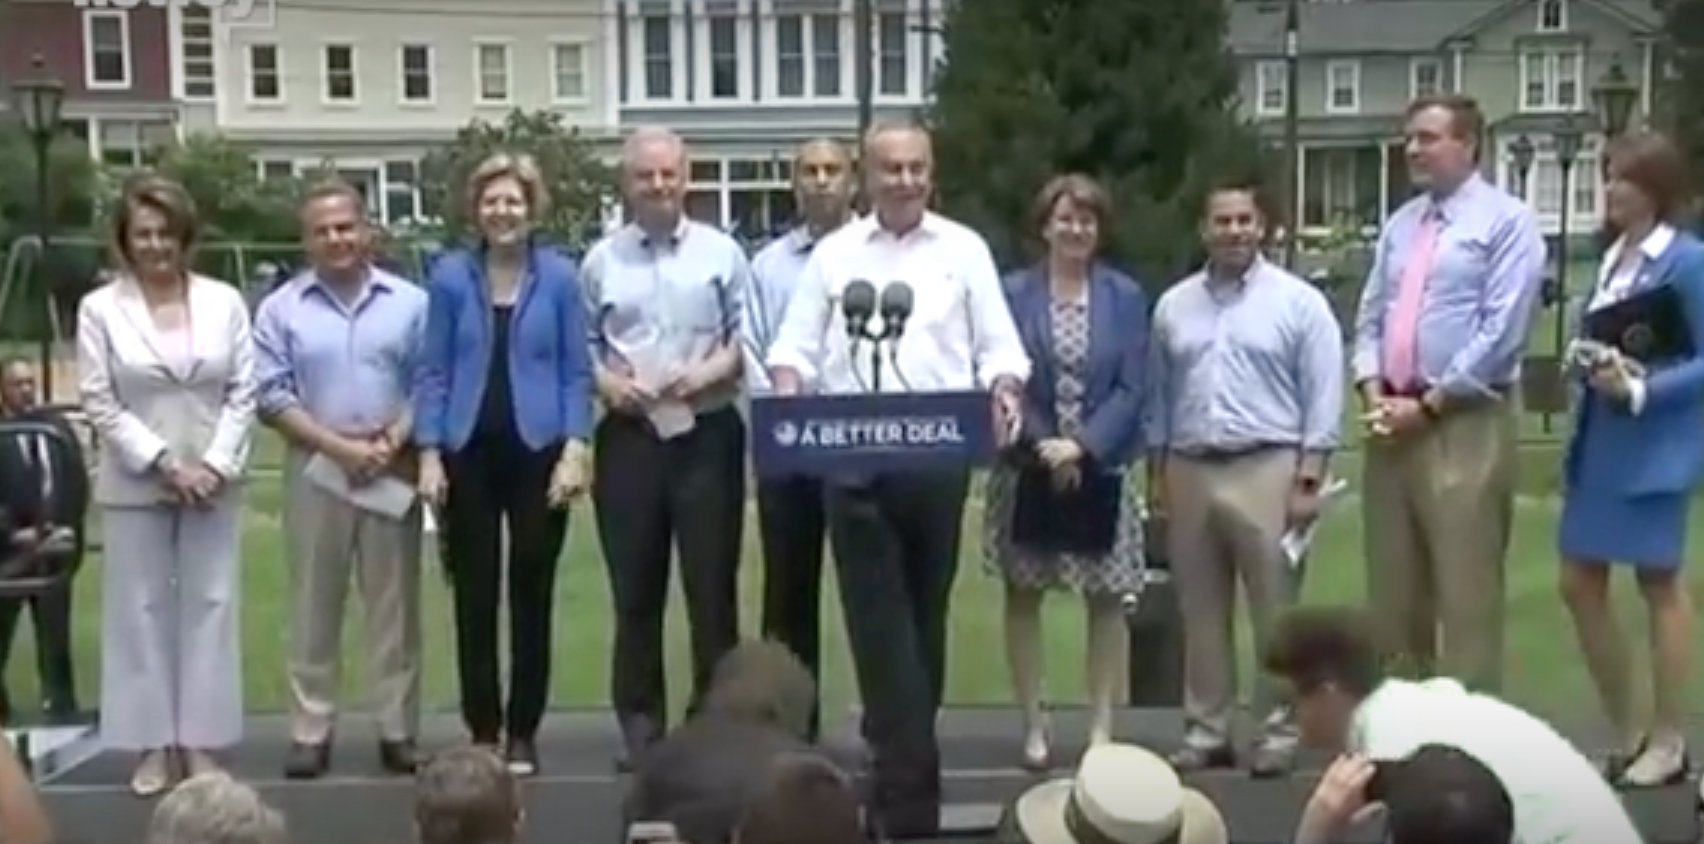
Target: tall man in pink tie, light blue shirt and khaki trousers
{"x":1439,"y":340}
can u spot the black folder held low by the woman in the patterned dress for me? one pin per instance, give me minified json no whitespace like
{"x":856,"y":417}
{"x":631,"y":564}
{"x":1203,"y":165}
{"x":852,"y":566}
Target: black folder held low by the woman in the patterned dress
{"x":1078,"y":521}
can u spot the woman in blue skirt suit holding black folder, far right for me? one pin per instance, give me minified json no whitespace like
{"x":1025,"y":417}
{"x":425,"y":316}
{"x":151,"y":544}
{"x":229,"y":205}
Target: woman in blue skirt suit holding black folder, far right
{"x":1637,"y":460}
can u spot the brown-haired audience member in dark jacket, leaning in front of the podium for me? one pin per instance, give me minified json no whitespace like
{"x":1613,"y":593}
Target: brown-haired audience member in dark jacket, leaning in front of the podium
{"x":701,"y":775}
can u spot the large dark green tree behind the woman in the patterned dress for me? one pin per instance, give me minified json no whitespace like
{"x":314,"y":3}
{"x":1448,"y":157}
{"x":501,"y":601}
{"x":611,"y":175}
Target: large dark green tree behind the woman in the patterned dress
{"x":1139,"y":95}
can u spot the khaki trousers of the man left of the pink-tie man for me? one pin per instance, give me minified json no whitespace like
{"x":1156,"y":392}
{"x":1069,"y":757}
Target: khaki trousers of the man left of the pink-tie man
{"x":1224,"y":521}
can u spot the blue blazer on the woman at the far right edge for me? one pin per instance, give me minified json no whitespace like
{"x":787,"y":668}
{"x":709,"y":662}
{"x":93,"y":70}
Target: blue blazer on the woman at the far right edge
{"x":1662,"y":448}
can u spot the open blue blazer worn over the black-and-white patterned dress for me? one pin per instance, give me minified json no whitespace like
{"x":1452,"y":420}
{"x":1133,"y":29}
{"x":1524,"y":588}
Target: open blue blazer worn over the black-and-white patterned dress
{"x":1119,"y":338}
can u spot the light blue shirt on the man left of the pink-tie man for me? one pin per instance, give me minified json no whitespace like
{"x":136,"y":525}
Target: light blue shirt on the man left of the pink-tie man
{"x":1245,"y":364}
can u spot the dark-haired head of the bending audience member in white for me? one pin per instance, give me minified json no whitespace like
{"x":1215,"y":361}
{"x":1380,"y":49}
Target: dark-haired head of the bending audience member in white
{"x":1332,"y":662}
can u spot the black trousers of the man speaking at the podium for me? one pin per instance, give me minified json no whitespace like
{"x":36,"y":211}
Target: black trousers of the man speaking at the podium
{"x":897,"y":541}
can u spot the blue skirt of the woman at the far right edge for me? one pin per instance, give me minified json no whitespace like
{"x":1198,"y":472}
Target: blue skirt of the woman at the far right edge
{"x":1604,"y":526}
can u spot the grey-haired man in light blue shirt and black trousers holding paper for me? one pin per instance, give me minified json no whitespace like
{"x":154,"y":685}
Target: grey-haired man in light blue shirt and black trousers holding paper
{"x":665,"y":298}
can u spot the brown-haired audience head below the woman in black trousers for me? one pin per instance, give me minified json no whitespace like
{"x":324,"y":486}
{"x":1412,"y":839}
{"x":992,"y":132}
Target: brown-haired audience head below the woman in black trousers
{"x":466,"y":797}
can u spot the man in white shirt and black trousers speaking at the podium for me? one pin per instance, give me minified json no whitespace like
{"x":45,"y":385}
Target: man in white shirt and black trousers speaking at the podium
{"x":895,"y":536}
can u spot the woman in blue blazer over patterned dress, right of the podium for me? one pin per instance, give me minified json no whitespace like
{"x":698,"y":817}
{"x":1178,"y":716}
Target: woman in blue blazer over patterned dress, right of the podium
{"x":1059,"y":516}
